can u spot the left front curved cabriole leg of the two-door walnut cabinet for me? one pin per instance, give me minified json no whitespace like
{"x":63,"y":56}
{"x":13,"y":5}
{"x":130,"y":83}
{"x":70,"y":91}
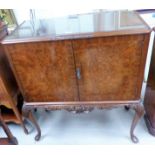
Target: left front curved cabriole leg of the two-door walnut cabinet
{"x":27,"y":113}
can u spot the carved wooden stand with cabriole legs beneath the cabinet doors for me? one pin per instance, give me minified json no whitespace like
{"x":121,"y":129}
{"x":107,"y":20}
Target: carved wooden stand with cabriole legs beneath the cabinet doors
{"x":28,"y":109}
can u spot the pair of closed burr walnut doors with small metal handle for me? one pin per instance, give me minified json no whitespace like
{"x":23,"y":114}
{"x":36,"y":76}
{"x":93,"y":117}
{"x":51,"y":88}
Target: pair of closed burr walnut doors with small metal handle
{"x":91,"y":69}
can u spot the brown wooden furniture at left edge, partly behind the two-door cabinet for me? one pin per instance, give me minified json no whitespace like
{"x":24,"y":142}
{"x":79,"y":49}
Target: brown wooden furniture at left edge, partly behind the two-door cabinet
{"x":8,"y":87}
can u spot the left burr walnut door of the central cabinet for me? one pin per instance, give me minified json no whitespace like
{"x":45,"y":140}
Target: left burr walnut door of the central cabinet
{"x":45,"y":71}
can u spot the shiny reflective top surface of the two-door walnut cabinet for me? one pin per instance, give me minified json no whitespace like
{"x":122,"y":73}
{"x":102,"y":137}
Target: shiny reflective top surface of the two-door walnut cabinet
{"x":94,"y":24}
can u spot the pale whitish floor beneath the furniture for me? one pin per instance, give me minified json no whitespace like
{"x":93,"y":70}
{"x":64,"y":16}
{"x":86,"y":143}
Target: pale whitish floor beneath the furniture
{"x":96,"y":127}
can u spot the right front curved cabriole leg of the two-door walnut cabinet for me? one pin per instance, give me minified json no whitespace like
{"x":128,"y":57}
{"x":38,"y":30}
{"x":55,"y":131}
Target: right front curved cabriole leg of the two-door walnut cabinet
{"x":139,"y":111}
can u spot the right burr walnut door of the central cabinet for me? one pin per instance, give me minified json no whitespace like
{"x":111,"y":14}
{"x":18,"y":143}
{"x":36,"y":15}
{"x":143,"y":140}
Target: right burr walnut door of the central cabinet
{"x":108,"y":68}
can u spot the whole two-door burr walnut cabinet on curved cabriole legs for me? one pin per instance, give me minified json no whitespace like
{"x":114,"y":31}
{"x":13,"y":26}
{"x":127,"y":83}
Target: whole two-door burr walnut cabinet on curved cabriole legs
{"x":80,"y":62}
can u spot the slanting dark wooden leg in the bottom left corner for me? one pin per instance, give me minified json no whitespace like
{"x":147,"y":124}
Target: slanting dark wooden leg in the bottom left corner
{"x":11,"y":138}
